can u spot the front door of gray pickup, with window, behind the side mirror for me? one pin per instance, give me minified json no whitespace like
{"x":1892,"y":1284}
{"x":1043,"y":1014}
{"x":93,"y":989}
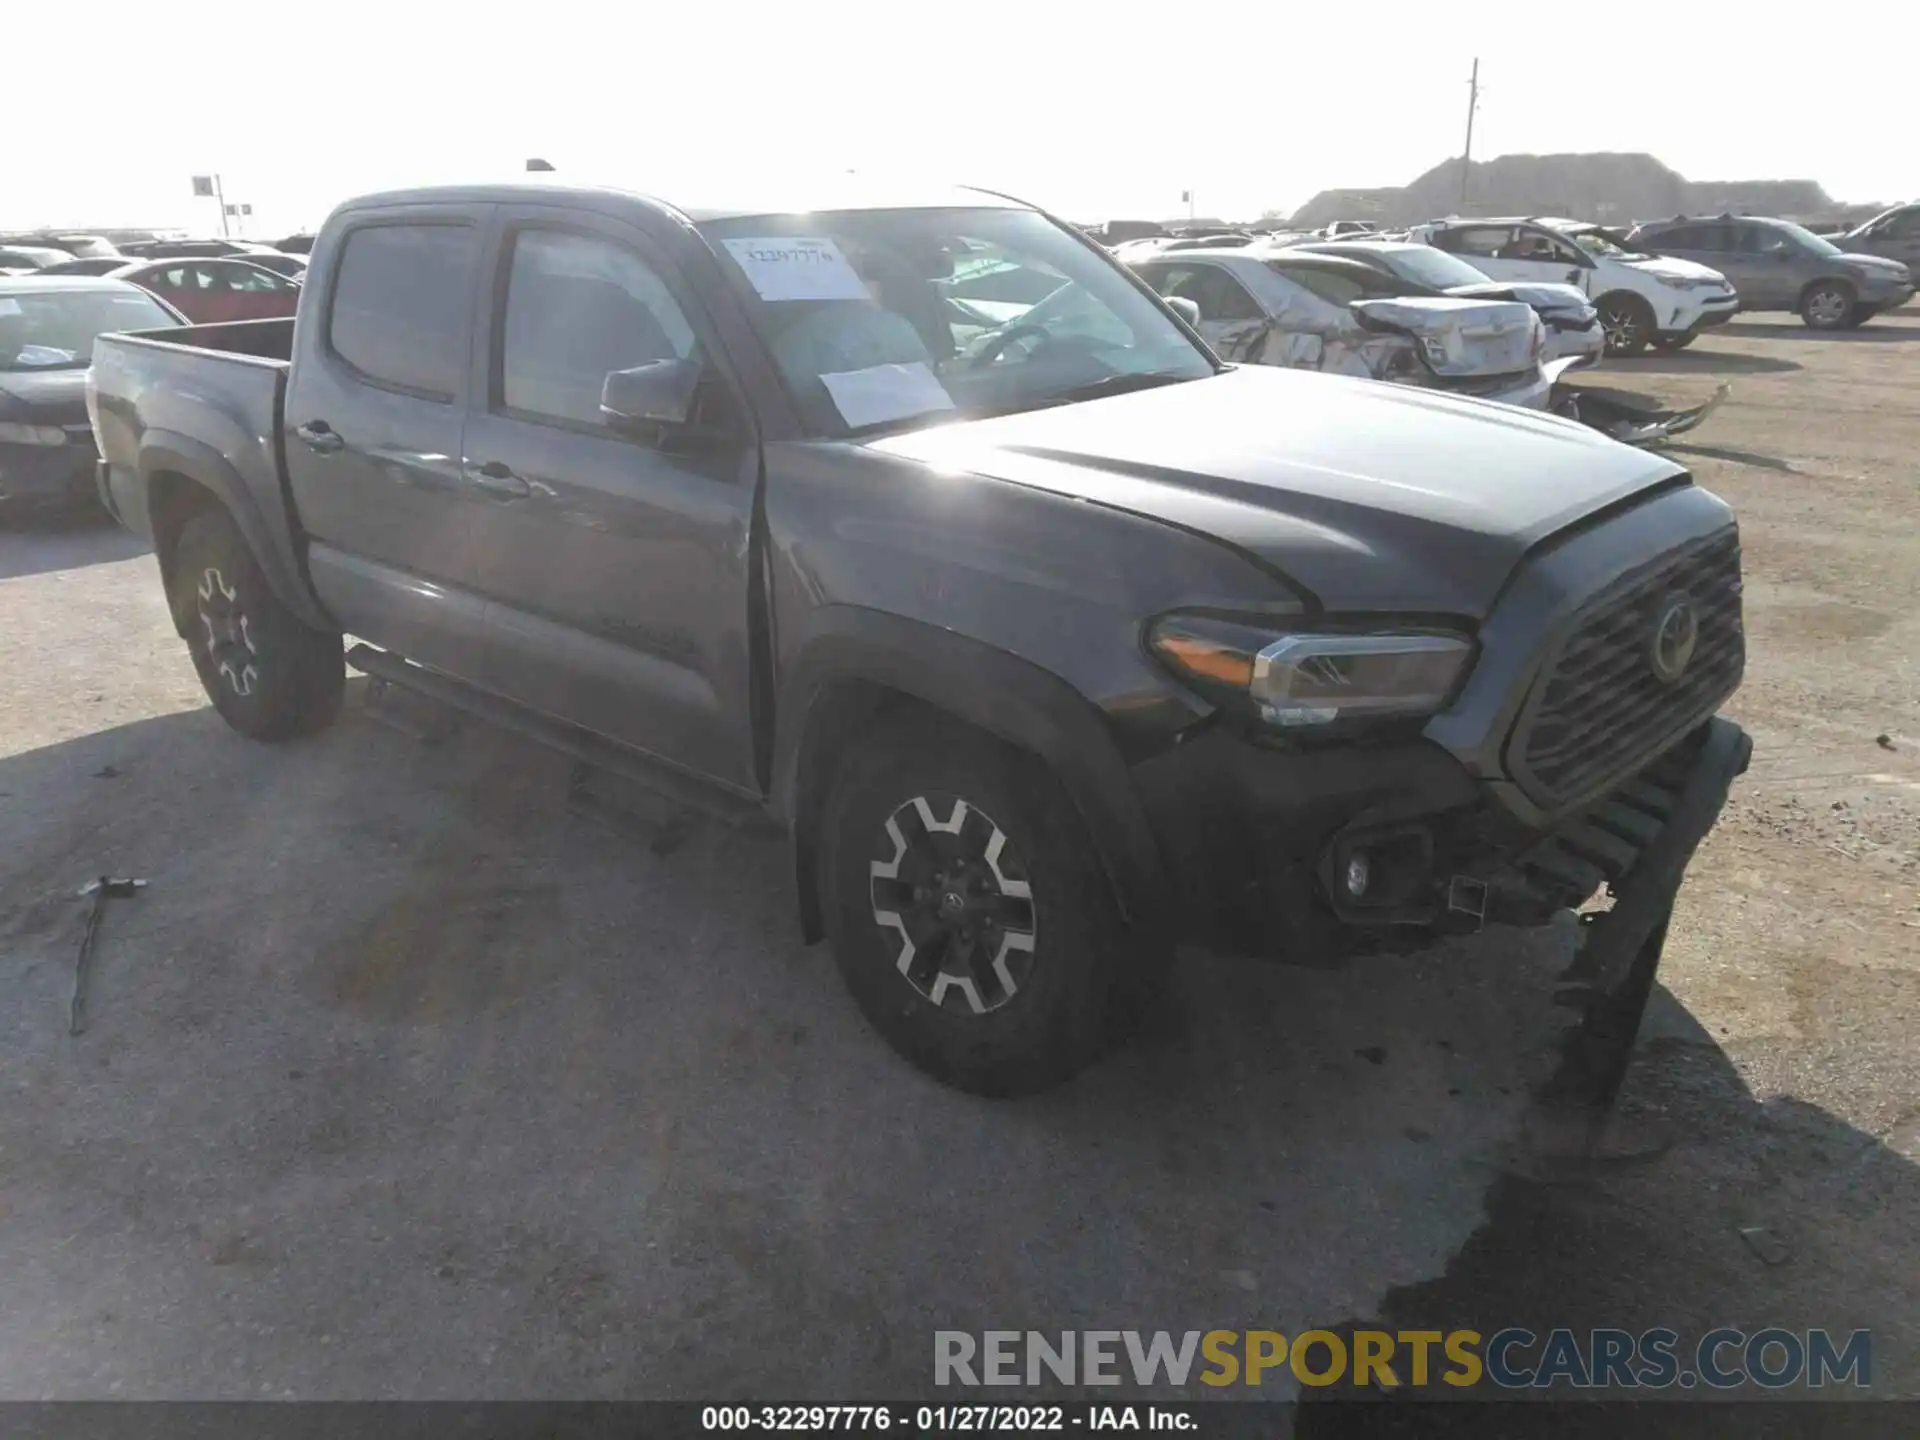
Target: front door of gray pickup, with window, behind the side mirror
{"x":615,"y":562}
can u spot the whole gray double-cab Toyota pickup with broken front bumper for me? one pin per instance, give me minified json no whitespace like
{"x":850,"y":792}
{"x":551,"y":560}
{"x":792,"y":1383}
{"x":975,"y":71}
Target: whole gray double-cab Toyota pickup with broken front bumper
{"x":915,"y":527}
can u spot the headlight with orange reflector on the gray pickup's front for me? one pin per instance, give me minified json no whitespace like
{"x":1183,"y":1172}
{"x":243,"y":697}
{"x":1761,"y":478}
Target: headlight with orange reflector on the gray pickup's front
{"x":1312,"y":681}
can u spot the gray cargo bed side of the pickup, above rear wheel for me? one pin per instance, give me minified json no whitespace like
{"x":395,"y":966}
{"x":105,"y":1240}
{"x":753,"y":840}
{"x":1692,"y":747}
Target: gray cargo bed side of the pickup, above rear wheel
{"x":204,"y":402}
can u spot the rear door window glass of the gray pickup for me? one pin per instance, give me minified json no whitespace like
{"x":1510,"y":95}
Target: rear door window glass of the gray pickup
{"x":400,"y":306}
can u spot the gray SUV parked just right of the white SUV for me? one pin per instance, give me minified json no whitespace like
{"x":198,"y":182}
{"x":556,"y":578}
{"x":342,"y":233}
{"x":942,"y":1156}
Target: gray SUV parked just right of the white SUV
{"x":1785,"y":266}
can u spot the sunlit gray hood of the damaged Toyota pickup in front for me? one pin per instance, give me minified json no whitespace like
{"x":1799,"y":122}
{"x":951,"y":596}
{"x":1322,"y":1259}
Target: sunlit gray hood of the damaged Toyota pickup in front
{"x":1366,"y":496}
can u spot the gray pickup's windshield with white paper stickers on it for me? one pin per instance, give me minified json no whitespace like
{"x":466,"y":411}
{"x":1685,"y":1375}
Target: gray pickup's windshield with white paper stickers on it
{"x":896,"y":318}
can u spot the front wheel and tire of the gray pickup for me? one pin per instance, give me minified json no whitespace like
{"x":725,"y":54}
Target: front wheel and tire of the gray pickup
{"x":969,"y":913}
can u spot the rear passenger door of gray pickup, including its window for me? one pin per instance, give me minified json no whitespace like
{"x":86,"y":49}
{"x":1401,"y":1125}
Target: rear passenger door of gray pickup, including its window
{"x":373,"y":431}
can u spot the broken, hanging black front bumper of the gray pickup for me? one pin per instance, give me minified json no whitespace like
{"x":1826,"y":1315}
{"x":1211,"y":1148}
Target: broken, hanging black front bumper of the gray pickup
{"x":1310,"y":857}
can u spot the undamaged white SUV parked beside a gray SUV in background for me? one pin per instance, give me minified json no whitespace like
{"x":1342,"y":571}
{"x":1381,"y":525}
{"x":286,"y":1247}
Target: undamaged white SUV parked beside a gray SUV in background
{"x":1643,"y":300}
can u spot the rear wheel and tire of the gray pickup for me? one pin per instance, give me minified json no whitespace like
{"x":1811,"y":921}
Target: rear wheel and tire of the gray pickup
{"x":268,"y":673}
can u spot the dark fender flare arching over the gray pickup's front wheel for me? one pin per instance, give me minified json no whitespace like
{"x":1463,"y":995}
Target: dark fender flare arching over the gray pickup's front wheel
{"x":852,"y":650}
